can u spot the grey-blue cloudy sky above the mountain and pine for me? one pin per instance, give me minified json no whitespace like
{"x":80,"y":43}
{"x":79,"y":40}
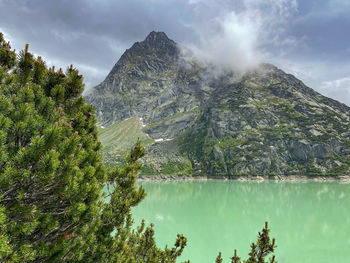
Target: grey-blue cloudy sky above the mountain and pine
{"x":308,"y":38}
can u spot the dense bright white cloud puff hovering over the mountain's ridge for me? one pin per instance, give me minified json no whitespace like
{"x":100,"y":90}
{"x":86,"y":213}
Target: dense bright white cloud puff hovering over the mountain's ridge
{"x":232,"y":46}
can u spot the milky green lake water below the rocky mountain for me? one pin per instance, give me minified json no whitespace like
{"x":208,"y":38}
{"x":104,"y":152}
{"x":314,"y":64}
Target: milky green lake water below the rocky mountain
{"x":310,"y":220}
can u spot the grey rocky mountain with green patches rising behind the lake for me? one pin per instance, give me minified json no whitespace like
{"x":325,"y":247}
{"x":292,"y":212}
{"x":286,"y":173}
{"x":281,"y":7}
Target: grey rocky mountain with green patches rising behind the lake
{"x":265,"y":122}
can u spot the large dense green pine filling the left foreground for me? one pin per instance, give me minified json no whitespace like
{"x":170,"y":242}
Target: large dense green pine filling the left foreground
{"x":52,"y":176}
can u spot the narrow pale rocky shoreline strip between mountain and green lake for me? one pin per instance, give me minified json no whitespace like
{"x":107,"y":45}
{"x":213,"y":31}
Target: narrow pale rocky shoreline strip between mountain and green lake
{"x":143,"y":178}
